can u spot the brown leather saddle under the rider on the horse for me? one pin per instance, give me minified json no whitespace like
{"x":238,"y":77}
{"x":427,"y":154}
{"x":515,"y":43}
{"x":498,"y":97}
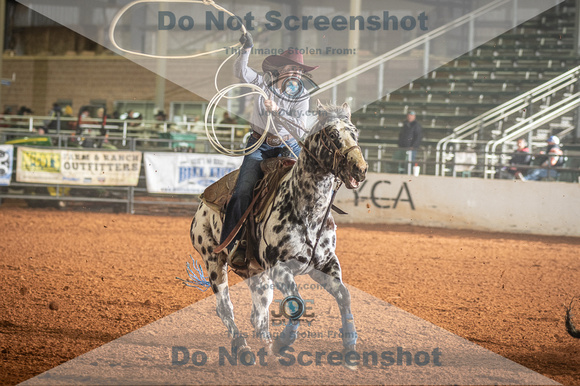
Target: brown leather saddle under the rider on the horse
{"x":217,"y":196}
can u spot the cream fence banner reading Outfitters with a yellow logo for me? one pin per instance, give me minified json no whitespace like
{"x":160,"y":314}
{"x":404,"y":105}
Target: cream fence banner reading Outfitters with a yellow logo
{"x":78,"y":167}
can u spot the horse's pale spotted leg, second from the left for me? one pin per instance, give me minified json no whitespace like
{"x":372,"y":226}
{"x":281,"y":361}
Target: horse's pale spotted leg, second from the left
{"x":262,"y":291}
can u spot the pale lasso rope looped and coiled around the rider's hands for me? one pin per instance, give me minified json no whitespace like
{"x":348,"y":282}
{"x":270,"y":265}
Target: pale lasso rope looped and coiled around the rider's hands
{"x":213,"y":103}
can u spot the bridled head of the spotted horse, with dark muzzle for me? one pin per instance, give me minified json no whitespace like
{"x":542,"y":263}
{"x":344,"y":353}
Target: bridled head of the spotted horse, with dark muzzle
{"x":334,"y":142}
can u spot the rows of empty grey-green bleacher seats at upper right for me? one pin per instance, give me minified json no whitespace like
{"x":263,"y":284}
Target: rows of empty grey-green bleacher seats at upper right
{"x":517,"y":61}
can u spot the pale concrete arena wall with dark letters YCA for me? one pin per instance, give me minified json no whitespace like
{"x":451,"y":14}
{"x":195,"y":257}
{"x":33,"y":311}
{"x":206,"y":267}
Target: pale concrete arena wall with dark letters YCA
{"x":546,"y":208}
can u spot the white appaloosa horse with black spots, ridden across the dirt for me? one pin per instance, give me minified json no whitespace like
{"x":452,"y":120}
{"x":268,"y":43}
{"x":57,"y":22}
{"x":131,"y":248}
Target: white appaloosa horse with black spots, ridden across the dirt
{"x":298,"y":237}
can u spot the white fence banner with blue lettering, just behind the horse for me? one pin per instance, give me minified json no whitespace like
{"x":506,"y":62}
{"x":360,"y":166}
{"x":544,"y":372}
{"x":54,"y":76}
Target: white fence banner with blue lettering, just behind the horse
{"x":183,"y":173}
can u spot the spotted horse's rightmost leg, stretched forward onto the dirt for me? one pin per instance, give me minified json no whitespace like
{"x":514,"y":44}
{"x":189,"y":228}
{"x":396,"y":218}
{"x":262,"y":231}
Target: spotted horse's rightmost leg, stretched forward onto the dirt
{"x":330,"y":277}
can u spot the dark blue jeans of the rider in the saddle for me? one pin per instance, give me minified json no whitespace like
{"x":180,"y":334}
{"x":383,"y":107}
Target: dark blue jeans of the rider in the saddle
{"x":250,"y":174}
